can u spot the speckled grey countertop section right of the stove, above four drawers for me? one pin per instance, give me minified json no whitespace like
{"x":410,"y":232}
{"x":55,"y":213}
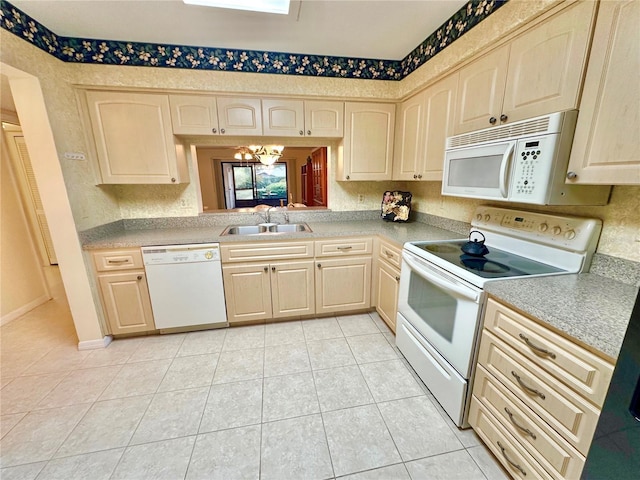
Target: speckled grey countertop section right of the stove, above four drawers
{"x":589,"y":308}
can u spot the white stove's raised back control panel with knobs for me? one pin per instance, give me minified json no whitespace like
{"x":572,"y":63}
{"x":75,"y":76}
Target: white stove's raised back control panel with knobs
{"x":573,"y":233}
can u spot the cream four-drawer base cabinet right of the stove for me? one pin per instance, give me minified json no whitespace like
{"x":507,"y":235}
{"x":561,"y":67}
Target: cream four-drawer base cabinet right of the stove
{"x":536,"y":396}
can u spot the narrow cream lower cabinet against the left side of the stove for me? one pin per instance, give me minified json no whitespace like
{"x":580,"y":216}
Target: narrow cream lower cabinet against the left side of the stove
{"x":387,"y":282}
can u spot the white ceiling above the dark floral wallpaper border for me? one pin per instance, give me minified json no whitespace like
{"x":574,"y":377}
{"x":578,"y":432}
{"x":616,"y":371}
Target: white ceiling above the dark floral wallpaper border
{"x":376,"y":29}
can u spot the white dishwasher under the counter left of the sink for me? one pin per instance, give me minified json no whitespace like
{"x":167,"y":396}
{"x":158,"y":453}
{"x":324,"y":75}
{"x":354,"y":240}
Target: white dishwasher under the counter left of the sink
{"x":185,"y":286}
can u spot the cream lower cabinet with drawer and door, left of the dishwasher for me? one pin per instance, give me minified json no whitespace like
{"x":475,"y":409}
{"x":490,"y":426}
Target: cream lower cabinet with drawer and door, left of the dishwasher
{"x":124,"y":291}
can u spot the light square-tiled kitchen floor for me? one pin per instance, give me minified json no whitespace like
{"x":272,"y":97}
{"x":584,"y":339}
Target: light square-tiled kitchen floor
{"x":314,"y":399}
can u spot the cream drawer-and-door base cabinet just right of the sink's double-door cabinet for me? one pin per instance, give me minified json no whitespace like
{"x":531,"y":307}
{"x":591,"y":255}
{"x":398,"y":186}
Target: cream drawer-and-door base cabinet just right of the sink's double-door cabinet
{"x":343,"y":274}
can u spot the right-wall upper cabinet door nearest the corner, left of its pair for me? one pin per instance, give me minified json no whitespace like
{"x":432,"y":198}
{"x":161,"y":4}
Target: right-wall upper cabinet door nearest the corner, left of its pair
{"x":409,"y":140}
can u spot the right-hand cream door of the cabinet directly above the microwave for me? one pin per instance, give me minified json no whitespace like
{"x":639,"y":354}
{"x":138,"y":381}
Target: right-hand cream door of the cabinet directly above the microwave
{"x":546,"y":64}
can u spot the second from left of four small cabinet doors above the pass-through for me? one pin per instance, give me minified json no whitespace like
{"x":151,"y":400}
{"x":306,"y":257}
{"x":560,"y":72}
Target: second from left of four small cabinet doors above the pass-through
{"x":239,"y":116}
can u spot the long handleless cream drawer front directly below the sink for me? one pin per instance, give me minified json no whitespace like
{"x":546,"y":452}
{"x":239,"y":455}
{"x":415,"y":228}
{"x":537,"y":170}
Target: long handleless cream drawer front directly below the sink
{"x":265,"y":251}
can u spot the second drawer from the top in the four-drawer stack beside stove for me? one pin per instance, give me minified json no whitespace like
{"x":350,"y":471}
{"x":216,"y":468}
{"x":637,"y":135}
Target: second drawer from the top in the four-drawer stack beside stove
{"x":569,"y":414}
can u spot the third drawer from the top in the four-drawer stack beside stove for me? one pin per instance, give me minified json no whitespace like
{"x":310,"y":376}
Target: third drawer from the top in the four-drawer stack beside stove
{"x":538,"y":438}
